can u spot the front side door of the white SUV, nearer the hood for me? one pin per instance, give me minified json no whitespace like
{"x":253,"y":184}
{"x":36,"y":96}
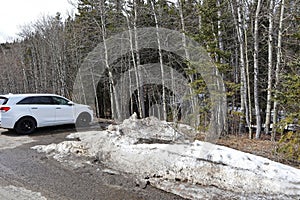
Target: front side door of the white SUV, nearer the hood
{"x":64,"y":112}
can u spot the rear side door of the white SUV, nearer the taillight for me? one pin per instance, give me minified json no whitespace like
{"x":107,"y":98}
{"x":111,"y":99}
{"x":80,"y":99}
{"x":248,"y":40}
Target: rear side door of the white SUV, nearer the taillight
{"x":41,"y":108}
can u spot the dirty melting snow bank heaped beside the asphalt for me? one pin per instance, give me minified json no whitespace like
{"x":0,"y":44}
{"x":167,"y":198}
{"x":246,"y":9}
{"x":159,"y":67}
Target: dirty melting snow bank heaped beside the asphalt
{"x":159,"y":154}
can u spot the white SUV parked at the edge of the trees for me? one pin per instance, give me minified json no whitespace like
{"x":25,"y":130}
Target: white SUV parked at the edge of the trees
{"x":25,"y":112}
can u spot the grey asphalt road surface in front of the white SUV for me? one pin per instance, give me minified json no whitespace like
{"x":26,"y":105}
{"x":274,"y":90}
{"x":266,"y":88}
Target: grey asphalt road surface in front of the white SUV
{"x":27,"y":174}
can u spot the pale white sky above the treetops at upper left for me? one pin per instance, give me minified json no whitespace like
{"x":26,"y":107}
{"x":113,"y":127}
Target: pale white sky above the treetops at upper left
{"x":16,"y":13}
